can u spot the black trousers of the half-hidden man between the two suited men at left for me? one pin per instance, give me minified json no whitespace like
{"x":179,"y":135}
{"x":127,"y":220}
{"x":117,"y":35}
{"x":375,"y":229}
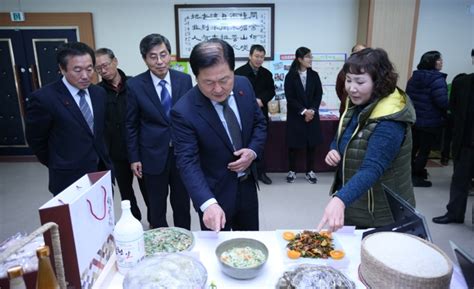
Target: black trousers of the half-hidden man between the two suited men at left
{"x":124,"y":176}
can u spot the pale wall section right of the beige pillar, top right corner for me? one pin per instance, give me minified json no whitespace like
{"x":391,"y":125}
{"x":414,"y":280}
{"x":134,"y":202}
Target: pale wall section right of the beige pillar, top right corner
{"x":446,"y":26}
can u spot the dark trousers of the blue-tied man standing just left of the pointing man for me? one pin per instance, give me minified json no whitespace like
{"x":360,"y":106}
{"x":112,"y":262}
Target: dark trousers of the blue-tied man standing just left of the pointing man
{"x":157,"y":189}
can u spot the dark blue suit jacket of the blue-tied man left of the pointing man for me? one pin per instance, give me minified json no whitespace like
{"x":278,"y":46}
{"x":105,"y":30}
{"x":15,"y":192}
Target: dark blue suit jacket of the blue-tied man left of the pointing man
{"x":148,"y":127}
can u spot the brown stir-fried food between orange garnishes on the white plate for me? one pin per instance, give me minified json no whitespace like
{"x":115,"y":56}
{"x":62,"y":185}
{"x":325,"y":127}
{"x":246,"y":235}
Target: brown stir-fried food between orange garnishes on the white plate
{"x":312,"y":244}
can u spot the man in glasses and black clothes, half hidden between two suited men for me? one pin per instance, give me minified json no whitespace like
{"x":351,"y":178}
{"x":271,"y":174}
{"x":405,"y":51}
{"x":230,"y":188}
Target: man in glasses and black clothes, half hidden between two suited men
{"x":113,"y":81}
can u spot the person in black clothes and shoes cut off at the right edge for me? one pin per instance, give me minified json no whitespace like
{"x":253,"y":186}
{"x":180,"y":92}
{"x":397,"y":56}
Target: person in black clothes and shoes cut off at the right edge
{"x":461,"y":105}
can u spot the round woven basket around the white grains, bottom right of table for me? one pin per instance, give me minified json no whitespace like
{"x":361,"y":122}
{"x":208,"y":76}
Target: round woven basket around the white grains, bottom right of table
{"x":375,"y":274}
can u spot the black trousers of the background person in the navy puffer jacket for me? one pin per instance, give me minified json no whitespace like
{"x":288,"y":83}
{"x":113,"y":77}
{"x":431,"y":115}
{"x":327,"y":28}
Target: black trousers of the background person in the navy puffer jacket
{"x":423,"y":141}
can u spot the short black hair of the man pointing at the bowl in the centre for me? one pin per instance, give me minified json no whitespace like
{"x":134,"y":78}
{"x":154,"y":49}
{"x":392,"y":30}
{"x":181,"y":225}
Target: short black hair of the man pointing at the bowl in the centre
{"x":211,"y":52}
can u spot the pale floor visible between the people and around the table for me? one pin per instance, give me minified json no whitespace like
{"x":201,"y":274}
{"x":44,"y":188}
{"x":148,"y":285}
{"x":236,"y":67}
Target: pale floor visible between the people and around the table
{"x":23,"y":189}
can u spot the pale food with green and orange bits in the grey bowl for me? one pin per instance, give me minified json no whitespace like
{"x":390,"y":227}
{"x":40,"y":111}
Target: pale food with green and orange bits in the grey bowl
{"x":245,"y":257}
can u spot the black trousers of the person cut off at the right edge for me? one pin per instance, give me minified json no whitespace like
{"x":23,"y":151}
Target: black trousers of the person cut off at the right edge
{"x":462,"y":176}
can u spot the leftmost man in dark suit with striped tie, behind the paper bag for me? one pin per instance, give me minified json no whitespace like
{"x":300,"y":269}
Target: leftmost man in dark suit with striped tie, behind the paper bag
{"x":65,"y":120}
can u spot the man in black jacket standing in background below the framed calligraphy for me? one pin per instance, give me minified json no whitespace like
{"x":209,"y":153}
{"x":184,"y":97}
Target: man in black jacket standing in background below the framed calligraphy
{"x":264,"y":87}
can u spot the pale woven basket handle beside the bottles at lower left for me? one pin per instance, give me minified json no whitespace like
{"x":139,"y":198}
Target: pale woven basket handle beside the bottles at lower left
{"x":58,"y":257}
